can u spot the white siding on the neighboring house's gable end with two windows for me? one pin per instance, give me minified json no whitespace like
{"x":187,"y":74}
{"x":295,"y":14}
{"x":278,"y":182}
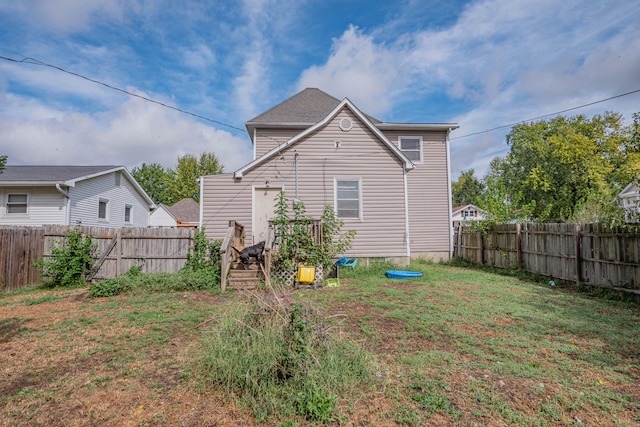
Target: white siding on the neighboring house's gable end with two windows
{"x":87,"y":193}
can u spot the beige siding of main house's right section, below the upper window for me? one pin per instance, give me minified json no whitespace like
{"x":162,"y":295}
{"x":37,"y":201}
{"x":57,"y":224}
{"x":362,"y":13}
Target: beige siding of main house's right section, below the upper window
{"x":428,"y":195}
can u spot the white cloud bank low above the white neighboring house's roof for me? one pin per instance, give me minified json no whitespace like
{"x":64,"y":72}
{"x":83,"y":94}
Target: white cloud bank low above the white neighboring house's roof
{"x":132,"y":133}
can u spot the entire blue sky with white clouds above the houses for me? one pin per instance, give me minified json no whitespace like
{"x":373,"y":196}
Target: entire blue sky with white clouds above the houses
{"x":481,"y":64}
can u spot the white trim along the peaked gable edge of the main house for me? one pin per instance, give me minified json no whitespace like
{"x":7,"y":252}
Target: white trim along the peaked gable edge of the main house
{"x":408,"y":164}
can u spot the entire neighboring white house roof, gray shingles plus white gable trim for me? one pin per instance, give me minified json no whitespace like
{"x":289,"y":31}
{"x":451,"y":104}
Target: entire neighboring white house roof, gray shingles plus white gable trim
{"x":68,"y":176}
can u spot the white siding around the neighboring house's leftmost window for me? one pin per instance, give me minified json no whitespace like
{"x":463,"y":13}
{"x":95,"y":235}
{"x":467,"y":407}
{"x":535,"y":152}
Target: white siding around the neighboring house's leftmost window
{"x":45,"y":206}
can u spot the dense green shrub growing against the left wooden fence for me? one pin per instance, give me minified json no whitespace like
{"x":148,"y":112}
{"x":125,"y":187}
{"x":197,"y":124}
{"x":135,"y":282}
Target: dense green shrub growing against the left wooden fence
{"x":71,"y":260}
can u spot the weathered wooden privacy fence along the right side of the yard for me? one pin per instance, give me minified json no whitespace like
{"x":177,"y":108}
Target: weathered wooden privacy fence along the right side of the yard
{"x":591,"y":254}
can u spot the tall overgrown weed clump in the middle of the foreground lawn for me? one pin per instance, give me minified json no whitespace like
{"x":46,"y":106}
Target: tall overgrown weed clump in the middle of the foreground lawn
{"x":279,"y":360}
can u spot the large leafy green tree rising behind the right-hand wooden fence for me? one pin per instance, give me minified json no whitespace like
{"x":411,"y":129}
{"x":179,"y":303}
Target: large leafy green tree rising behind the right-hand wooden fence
{"x":556,"y":165}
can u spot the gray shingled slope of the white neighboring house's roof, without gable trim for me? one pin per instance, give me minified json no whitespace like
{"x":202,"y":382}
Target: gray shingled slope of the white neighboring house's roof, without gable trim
{"x":50,"y":174}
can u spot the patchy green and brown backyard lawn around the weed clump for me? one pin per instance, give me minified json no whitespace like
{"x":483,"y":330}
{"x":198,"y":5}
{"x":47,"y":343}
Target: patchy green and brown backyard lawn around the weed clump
{"x":457,"y":346}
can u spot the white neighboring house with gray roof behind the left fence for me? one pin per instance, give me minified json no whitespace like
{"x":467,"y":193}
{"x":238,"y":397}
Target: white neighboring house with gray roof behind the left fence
{"x":102,"y":196}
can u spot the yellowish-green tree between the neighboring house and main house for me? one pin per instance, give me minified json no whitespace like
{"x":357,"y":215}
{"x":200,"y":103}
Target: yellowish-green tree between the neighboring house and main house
{"x":184,"y":181}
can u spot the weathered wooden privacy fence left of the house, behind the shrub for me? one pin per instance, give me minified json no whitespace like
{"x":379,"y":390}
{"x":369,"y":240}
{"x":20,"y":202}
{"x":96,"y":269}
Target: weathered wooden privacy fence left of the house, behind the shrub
{"x":155,"y":250}
